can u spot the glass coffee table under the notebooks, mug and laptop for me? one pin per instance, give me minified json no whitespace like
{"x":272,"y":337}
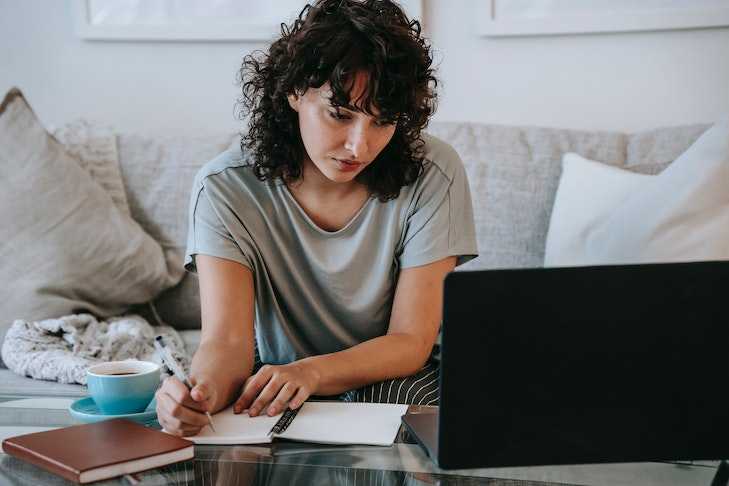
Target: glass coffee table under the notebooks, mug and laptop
{"x":290,"y":463}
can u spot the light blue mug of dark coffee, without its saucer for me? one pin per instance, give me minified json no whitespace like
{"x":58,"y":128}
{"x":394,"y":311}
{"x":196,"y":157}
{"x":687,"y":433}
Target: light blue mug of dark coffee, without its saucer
{"x":122,"y":387}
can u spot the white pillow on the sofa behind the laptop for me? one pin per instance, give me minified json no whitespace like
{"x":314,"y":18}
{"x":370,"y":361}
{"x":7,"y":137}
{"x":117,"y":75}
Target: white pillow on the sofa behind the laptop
{"x":606,"y":215}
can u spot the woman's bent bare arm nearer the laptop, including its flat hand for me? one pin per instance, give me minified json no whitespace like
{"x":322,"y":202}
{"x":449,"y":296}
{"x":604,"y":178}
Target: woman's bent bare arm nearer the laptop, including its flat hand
{"x":414,"y":322}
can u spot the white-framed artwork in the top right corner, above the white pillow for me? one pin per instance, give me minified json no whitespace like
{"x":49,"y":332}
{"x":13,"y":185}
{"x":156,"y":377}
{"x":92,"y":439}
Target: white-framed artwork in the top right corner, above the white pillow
{"x":554,"y":17}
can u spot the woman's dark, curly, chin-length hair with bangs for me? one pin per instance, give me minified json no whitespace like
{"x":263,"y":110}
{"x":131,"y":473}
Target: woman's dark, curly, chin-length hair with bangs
{"x":331,"y":41}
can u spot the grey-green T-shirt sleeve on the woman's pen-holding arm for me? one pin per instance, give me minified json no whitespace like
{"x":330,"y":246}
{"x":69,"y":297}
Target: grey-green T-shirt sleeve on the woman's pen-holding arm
{"x":207,"y":233}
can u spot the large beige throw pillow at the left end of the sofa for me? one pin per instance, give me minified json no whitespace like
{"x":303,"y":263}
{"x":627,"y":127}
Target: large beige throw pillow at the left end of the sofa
{"x":65,"y":245}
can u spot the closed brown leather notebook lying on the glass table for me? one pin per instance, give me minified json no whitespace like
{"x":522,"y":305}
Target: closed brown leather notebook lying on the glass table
{"x":92,"y":452}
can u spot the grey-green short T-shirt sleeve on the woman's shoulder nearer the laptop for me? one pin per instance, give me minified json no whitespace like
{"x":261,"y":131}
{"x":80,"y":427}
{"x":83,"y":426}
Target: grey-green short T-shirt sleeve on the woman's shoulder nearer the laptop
{"x":440,"y":223}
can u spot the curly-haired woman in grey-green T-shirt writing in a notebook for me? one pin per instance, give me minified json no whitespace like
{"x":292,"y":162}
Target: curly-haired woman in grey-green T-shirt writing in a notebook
{"x":322,"y":245}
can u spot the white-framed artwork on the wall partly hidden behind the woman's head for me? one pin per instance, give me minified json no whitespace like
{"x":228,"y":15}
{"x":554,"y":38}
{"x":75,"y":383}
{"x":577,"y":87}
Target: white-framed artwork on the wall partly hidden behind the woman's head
{"x":183,"y":20}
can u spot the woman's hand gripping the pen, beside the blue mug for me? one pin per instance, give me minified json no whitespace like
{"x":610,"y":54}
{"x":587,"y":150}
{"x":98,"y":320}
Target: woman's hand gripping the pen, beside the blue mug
{"x":181,"y":411}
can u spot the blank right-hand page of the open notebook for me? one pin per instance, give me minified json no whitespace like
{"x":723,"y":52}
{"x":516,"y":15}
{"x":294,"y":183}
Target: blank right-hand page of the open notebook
{"x":346,"y":423}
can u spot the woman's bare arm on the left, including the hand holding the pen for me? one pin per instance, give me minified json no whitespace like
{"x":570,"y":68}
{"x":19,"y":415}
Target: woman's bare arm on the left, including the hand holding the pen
{"x":224,"y":358}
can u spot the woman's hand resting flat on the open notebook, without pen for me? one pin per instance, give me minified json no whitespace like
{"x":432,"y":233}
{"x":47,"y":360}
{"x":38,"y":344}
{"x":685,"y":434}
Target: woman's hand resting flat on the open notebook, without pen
{"x":276,"y":387}
